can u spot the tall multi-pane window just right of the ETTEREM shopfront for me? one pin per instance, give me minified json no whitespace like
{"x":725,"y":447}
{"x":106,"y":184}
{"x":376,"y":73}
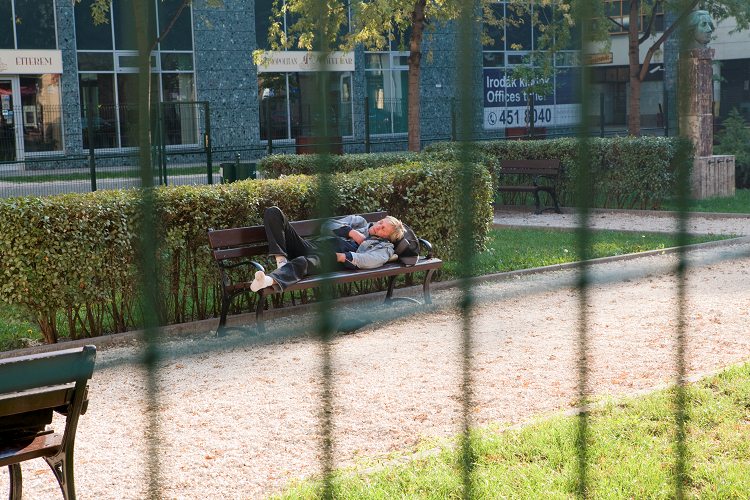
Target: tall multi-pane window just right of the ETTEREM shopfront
{"x":110,"y":76}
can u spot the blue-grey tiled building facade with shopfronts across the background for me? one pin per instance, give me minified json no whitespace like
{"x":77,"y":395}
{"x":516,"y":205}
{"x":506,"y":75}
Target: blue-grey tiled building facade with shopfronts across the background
{"x":67,"y":84}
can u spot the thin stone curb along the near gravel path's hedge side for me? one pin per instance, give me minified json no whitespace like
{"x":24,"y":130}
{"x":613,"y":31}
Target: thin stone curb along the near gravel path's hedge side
{"x":208,"y":326}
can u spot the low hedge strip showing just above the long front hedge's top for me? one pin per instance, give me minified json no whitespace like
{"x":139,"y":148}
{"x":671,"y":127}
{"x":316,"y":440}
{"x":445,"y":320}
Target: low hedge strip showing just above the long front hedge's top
{"x":274,"y":166}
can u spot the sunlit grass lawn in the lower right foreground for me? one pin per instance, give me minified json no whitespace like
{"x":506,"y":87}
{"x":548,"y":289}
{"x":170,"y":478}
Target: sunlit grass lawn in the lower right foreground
{"x":631,"y":454}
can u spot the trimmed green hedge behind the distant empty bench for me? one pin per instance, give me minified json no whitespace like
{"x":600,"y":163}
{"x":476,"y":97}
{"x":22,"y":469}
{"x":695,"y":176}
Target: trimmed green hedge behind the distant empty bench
{"x":627,"y":172}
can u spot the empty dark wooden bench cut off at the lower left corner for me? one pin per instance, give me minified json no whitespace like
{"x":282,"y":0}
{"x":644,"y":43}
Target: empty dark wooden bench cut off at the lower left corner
{"x":31,"y":388}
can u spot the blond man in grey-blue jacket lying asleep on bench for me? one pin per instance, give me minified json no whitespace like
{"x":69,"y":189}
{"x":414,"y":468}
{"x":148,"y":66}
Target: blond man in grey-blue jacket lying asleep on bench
{"x":349,"y":241}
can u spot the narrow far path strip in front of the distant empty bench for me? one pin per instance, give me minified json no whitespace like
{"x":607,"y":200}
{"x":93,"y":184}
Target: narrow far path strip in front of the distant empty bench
{"x":627,"y":220}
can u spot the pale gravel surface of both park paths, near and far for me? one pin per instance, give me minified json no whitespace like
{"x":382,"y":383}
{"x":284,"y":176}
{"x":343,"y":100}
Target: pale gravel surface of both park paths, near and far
{"x":240,"y":419}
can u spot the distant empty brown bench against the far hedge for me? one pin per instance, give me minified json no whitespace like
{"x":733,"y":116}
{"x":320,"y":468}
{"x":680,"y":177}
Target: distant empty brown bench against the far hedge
{"x":531,"y":176}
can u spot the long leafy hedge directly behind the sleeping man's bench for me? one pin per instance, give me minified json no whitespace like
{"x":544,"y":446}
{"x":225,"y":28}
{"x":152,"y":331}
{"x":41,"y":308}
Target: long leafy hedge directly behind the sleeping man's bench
{"x":75,"y":258}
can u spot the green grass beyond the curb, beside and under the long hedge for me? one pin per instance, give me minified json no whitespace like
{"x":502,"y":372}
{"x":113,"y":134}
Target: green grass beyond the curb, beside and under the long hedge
{"x":508,"y":250}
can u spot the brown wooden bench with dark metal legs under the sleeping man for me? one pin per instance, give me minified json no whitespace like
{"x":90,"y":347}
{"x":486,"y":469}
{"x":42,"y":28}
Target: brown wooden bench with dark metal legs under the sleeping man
{"x":233,"y":248}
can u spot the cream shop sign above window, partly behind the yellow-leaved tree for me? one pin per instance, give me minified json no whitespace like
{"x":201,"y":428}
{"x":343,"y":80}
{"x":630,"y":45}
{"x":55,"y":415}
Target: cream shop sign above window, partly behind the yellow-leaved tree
{"x":301,"y":61}
